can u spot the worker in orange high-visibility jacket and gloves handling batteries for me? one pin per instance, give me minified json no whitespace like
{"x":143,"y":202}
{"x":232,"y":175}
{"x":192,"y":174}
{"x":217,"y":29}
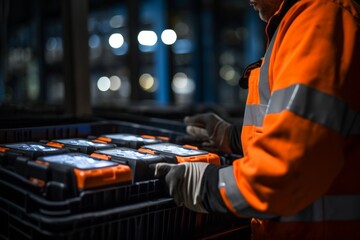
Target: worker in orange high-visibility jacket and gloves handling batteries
{"x":299,"y":176}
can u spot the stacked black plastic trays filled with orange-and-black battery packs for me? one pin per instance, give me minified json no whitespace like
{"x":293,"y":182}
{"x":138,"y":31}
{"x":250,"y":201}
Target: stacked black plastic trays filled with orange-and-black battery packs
{"x":79,"y":182}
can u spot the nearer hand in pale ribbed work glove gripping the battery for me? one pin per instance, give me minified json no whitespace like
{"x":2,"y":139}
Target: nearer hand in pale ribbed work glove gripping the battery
{"x":184,"y":181}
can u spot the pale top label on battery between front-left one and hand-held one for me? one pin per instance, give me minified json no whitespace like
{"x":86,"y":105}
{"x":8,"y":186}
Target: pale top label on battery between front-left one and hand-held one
{"x":128,"y":154}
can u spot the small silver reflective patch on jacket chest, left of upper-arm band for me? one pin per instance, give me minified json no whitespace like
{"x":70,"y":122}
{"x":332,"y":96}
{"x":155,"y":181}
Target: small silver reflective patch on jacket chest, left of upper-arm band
{"x":254,"y":114}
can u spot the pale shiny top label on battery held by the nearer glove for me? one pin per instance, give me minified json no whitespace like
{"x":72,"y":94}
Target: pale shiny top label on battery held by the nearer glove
{"x":175,"y":149}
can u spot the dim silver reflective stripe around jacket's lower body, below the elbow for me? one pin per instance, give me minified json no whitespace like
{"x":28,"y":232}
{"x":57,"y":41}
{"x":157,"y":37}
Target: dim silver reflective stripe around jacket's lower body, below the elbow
{"x":329,"y":208}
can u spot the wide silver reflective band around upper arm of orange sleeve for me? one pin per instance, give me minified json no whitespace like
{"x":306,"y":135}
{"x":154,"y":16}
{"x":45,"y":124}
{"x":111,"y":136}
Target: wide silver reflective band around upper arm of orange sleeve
{"x":316,"y":106}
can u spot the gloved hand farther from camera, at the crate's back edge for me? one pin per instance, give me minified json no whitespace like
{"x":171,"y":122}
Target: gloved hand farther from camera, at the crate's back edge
{"x":209,"y":130}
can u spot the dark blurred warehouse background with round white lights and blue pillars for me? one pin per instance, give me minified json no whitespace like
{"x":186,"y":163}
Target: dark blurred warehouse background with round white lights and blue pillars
{"x":66,"y":59}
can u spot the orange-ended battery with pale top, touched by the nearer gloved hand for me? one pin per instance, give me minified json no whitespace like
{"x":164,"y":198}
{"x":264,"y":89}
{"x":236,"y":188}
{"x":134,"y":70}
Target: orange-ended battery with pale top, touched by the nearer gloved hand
{"x":178,"y":153}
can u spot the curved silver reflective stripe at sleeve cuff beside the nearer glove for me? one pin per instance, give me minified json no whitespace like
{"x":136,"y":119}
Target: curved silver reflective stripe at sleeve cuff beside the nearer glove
{"x":227,"y":181}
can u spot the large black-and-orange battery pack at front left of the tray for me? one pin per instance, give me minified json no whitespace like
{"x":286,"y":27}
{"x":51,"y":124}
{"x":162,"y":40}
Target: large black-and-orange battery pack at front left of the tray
{"x":68,"y":174}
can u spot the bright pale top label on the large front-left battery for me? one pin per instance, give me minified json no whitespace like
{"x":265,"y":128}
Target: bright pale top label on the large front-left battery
{"x":79,"y":161}
